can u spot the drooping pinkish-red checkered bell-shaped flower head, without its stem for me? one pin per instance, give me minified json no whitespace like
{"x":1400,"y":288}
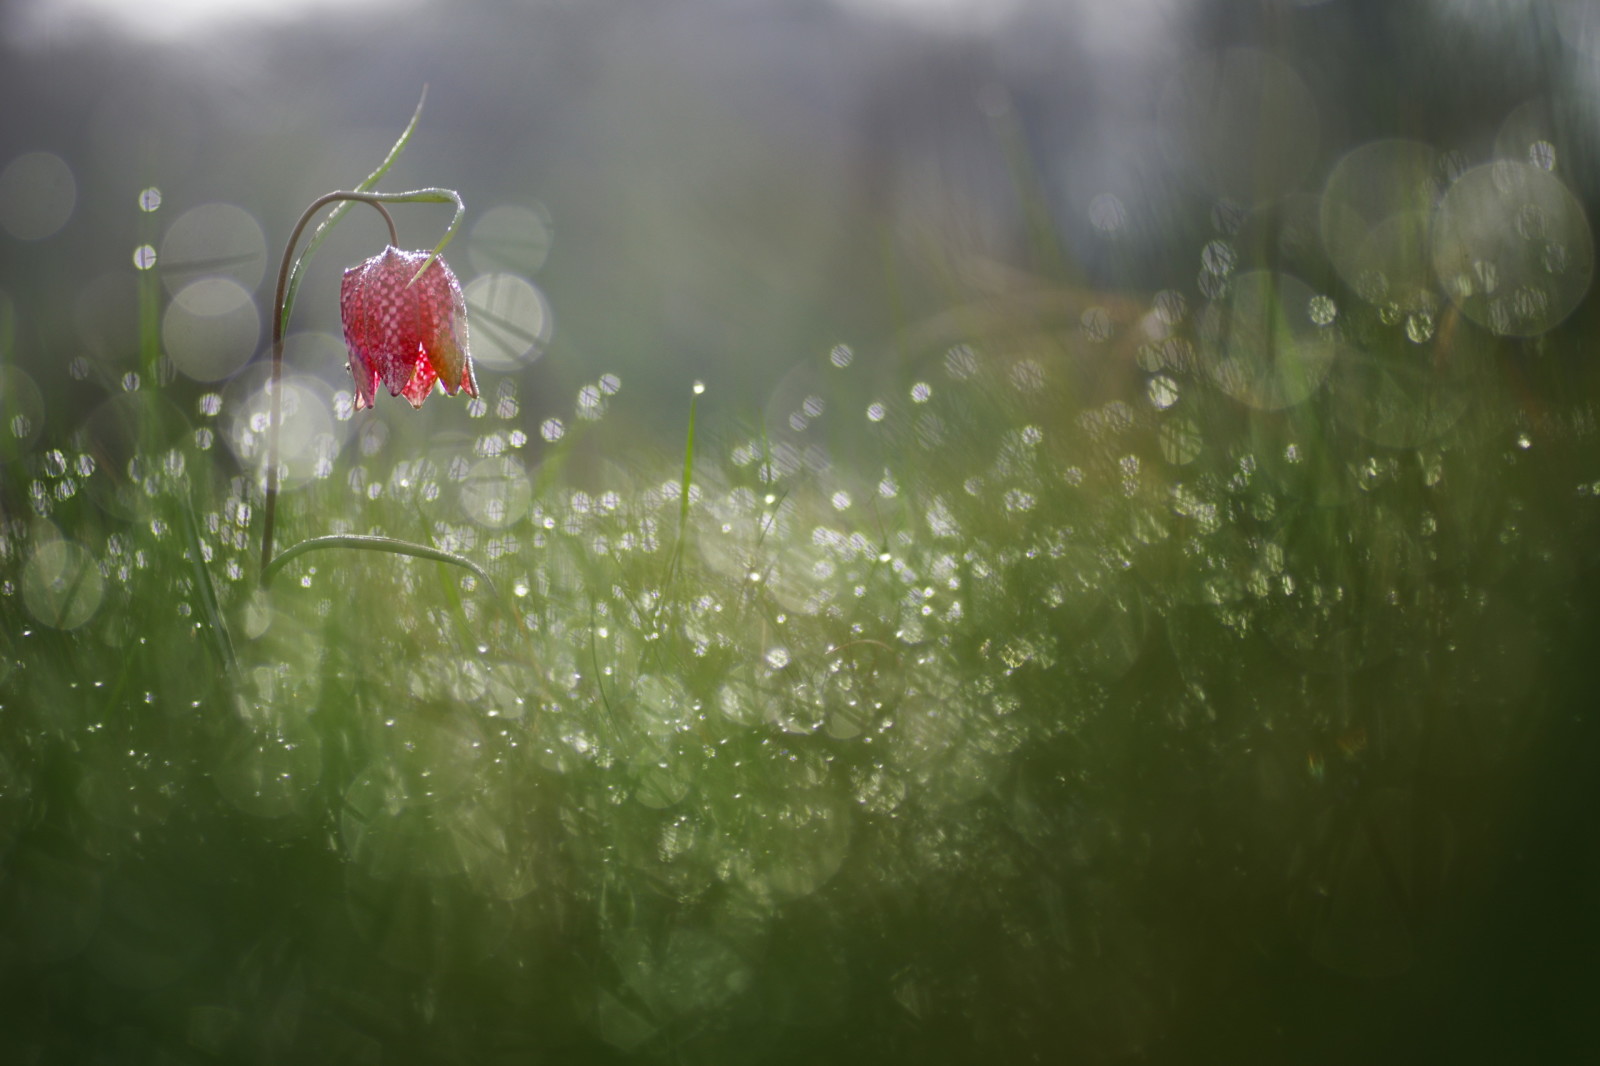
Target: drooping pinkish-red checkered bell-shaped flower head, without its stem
{"x":404,"y":334}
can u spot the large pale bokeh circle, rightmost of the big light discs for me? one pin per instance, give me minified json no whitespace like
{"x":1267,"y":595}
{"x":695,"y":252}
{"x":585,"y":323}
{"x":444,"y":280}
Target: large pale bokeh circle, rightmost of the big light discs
{"x":1513,"y":249}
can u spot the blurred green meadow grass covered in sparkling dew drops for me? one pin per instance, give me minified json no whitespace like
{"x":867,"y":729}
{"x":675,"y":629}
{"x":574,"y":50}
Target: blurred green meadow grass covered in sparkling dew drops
{"x":1076,"y":675}
